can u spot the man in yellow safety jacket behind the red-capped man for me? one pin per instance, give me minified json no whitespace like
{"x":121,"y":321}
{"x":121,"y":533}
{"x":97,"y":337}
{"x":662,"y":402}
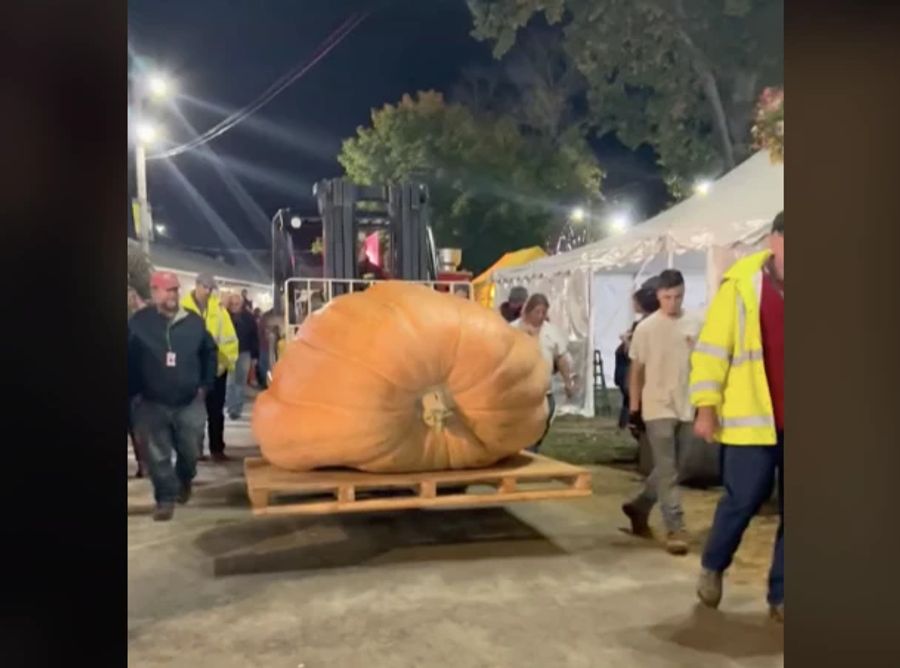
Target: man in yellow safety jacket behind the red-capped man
{"x":206,"y":304}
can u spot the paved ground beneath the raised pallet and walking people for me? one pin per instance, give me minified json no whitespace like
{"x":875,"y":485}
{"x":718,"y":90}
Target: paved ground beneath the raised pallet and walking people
{"x":552,"y":584}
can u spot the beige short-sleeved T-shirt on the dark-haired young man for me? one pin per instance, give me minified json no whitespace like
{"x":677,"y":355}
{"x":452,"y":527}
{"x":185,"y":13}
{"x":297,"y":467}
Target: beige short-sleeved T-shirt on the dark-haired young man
{"x":663,"y":345}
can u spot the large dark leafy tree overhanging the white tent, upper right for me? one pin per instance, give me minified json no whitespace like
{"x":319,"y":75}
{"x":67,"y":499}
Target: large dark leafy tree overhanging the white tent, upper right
{"x":681,"y":75}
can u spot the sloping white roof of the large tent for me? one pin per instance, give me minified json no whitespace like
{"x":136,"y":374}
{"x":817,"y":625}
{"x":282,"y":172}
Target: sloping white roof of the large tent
{"x":738,"y":209}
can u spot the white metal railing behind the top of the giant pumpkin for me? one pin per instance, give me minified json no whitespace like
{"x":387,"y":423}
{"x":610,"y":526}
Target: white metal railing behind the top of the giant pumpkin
{"x":312,"y":294}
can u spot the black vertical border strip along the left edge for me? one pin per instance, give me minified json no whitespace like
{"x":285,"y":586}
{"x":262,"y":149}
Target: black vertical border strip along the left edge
{"x":63,"y":207}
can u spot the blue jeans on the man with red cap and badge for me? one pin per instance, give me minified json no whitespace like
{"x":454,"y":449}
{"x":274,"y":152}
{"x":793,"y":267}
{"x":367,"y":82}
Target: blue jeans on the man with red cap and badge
{"x":164,"y":430}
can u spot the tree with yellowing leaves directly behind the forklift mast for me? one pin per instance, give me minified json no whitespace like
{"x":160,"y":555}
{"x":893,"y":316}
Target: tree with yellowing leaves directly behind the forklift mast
{"x":493,"y":189}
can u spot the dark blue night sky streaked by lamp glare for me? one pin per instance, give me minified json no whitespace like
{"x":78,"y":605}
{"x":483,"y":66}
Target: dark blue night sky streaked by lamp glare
{"x":223,"y":54}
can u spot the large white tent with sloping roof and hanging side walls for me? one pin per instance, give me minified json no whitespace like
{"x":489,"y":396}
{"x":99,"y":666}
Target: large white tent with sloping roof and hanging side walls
{"x":590,"y":288}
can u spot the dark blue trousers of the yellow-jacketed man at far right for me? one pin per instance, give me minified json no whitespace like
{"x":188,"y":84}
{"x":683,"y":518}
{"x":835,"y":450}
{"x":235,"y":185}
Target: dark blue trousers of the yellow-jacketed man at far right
{"x":748,"y":473}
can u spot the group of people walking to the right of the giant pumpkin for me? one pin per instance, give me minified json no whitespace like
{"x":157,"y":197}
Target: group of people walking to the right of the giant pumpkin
{"x":719,"y":378}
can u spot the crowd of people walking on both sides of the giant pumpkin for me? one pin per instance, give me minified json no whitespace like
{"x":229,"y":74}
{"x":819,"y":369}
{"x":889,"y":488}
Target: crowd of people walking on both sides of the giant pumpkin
{"x":718,"y":378}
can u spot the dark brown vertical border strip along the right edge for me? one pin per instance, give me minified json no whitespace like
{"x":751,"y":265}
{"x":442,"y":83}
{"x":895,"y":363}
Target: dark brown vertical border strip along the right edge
{"x":843,"y":330}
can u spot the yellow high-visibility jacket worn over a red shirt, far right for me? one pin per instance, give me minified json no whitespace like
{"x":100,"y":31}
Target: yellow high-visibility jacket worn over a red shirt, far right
{"x":727,"y":367}
